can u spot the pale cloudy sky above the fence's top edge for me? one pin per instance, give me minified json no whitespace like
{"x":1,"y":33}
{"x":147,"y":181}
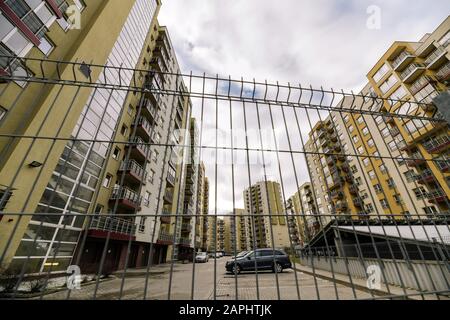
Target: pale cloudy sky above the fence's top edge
{"x":323,"y":43}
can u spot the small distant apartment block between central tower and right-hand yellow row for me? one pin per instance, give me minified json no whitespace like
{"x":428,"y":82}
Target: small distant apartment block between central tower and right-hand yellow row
{"x":302,"y":206}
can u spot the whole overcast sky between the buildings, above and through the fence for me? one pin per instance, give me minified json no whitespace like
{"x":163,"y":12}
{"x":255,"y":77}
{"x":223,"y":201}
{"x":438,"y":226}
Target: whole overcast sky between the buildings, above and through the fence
{"x":320,"y":43}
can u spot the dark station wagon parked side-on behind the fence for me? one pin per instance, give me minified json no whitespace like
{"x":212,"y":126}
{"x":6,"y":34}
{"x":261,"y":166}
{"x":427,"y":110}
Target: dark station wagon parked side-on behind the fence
{"x":260,"y":259}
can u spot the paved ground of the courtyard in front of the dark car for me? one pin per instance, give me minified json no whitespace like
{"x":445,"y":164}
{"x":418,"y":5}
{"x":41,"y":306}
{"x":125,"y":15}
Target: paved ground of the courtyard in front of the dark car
{"x":262,"y":286}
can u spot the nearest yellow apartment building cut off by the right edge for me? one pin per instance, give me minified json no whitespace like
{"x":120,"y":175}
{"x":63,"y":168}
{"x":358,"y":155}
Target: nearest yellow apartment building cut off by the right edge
{"x":418,"y":72}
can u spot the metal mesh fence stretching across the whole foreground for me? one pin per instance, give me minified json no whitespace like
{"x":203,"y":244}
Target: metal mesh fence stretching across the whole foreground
{"x":133,"y":184}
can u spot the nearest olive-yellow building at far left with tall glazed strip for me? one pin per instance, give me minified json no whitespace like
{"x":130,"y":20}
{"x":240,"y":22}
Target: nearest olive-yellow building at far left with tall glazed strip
{"x":48,"y":177}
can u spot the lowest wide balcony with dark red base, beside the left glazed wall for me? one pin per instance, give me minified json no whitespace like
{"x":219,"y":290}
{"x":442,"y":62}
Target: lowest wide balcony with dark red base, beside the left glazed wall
{"x":118,"y":229}
